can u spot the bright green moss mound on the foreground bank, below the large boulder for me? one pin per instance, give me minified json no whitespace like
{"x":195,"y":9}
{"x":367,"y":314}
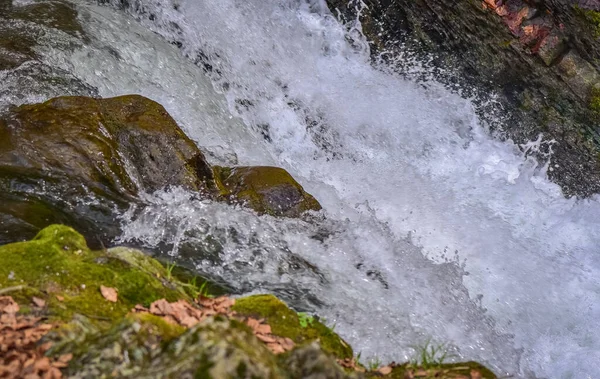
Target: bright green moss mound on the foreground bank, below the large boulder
{"x":58,"y":262}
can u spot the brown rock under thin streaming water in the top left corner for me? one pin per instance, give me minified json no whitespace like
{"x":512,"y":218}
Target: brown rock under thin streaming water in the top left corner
{"x":27,"y":29}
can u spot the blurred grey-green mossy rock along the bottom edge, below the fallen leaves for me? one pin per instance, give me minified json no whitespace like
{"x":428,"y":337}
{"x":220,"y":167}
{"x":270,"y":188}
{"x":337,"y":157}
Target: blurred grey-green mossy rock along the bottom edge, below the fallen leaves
{"x":215,"y":348}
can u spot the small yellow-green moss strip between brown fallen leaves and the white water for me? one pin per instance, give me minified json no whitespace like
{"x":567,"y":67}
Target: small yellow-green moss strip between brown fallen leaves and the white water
{"x":285,"y":322}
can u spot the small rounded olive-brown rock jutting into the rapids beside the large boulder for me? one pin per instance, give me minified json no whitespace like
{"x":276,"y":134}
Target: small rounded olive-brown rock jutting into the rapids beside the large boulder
{"x":270,"y":190}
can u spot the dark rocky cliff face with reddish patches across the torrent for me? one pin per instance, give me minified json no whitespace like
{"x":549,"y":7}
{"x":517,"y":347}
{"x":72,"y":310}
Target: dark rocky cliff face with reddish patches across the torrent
{"x":540,"y":58}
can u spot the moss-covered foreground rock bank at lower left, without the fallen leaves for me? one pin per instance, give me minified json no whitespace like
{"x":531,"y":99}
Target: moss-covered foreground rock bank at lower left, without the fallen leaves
{"x":107,"y":340}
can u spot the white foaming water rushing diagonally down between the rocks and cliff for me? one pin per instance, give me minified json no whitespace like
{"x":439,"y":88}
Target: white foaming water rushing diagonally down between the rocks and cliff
{"x":430,"y":229}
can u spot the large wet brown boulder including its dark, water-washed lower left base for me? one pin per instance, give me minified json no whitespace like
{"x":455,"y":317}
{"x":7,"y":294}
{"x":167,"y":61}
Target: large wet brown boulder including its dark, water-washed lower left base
{"x":76,"y":160}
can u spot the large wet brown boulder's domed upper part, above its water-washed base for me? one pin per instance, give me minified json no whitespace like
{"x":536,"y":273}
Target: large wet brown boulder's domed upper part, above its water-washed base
{"x":122,"y":145}
